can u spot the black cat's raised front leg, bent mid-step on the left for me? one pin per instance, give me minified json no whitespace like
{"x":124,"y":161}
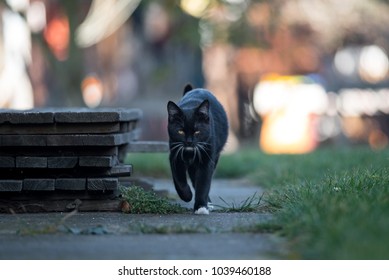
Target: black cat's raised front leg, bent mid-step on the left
{"x":179,"y":178}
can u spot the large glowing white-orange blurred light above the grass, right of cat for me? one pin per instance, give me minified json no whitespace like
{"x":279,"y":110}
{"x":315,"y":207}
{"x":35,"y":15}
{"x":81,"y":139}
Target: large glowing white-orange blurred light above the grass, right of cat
{"x":289,"y":106}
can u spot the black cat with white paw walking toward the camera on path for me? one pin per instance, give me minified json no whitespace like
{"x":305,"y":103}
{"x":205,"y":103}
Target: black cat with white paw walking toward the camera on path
{"x":198,"y":130}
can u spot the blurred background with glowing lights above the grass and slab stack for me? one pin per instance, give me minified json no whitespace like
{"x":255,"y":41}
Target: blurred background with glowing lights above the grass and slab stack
{"x":291,"y":74}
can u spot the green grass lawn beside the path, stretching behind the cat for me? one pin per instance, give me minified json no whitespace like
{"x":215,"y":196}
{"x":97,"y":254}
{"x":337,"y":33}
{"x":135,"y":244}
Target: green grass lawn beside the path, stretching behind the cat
{"x":329,"y":204}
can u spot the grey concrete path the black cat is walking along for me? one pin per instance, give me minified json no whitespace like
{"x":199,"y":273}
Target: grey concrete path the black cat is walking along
{"x":126,"y":236}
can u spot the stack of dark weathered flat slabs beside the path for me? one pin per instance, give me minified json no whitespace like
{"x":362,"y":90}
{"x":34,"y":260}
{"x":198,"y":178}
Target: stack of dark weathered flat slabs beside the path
{"x":65,"y":149}
